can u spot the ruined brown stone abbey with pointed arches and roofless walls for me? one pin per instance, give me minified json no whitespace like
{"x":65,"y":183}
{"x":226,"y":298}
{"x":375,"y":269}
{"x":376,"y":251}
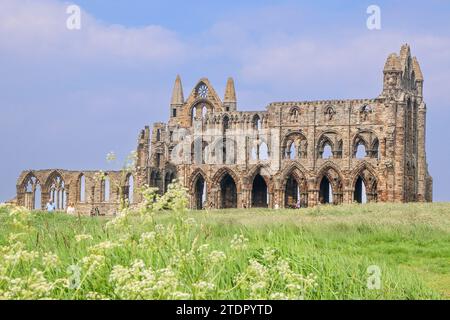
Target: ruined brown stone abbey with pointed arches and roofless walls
{"x":292,"y":154}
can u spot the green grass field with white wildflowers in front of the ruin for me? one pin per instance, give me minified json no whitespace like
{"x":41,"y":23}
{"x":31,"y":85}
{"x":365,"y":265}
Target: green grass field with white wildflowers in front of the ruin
{"x":317,"y":253}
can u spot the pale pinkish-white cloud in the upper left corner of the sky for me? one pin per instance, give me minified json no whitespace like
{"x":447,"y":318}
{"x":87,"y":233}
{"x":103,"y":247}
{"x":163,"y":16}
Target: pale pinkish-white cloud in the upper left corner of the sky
{"x":38,"y":29}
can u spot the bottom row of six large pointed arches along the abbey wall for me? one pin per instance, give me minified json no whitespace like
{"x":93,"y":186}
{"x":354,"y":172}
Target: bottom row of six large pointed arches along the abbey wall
{"x":295,"y":190}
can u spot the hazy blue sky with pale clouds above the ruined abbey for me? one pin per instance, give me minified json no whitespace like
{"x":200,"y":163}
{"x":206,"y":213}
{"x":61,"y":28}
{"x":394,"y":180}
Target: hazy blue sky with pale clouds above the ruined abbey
{"x":67,"y":98}
